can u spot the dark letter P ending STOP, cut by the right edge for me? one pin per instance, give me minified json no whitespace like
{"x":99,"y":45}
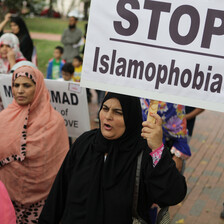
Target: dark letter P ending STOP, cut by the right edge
{"x":210,"y":29}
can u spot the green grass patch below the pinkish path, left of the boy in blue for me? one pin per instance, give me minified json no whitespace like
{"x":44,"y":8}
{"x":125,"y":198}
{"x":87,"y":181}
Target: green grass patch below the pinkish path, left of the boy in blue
{"x":45,"y":49}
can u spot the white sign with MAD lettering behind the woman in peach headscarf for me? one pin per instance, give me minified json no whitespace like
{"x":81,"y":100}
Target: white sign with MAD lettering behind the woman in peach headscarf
{"x":68,"y":98}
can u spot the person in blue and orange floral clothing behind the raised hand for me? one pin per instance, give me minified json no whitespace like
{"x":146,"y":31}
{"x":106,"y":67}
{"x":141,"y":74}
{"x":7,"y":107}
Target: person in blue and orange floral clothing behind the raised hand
{"x":174,"y":135}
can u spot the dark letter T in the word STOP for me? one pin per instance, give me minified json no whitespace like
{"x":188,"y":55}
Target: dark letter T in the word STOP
{"x":157,"y":8}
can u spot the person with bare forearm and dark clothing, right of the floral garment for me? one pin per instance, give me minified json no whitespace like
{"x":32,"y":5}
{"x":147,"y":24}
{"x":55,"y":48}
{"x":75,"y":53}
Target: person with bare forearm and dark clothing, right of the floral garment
{"x":191,"y":113}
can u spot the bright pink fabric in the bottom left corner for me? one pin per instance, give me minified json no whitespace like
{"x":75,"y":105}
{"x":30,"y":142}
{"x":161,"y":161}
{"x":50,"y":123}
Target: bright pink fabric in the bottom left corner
{"x":7,"y":212}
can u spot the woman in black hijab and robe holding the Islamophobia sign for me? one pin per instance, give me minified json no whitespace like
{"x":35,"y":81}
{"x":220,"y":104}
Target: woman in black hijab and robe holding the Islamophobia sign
{"x":95,"y":184}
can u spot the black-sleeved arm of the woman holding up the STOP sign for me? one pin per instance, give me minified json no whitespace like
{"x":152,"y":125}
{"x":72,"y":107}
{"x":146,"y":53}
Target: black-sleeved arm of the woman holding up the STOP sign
{"x":165,"y":185}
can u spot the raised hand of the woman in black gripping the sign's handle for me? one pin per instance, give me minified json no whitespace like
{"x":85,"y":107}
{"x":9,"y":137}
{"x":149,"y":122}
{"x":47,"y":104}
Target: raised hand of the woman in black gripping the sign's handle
{"x":153,"y":133}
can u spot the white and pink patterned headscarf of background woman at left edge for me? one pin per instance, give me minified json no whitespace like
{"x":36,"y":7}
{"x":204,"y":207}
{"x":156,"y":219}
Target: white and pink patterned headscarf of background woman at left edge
{"x":13,"y":41}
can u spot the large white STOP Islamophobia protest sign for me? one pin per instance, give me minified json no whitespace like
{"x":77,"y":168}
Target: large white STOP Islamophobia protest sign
{"x":165,"y":50}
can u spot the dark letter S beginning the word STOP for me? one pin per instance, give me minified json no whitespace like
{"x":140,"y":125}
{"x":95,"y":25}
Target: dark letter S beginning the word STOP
{"x":127,"y":15}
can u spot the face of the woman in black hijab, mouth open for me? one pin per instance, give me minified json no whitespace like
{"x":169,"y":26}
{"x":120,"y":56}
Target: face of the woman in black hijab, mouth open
{"x":111,"y":119}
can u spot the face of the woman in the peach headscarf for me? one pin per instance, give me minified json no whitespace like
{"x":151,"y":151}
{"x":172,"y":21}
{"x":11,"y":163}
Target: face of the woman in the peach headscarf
{"x":23,"y":90}
